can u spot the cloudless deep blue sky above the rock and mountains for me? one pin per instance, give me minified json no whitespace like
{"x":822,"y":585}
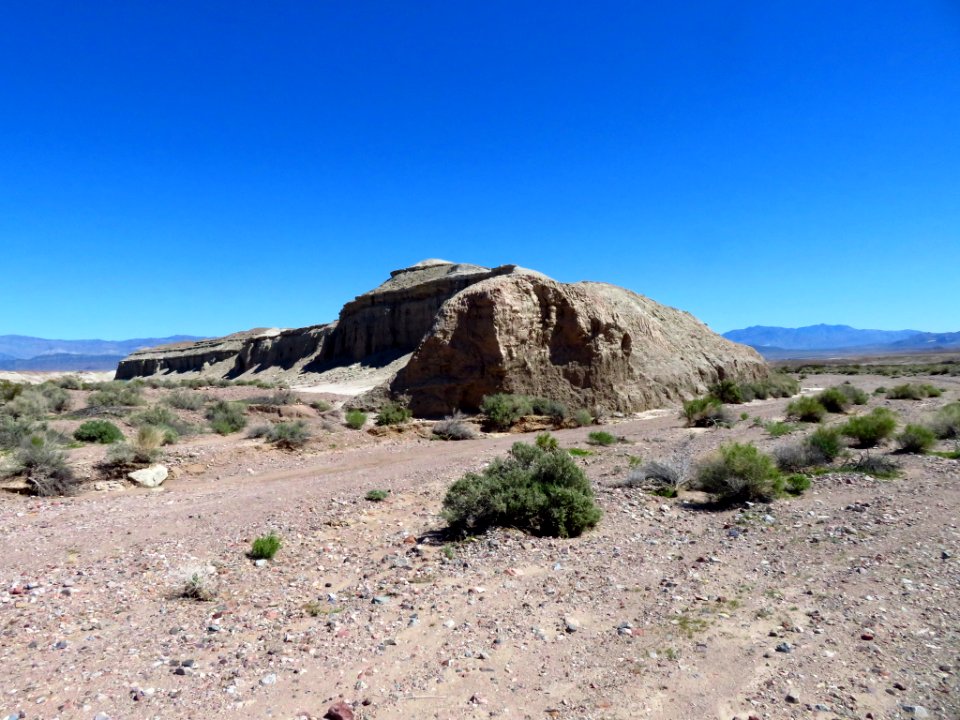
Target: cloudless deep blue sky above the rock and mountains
{"x":205,"y":167}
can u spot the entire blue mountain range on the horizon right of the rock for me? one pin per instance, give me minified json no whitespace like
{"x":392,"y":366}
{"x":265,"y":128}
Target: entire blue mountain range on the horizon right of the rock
{"x":777,"y":343}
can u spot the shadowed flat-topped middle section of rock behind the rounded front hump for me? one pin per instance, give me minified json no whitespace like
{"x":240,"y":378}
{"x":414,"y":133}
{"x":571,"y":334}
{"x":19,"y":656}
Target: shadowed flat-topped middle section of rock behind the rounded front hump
{"x":393,"y":318}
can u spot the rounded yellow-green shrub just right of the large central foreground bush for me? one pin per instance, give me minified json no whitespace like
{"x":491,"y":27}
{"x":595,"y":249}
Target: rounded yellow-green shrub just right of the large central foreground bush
{"x":736,"y":473}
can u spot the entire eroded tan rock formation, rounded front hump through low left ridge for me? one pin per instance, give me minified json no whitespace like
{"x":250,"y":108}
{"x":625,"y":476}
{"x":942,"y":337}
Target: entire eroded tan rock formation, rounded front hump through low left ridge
{"x":455,"y":333}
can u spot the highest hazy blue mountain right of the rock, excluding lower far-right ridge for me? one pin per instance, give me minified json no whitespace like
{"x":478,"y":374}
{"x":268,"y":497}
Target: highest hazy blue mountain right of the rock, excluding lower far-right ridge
{"x":816,"y":337}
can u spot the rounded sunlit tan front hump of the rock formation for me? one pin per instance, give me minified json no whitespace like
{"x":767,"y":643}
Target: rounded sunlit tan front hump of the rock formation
{"x":586,"y":344}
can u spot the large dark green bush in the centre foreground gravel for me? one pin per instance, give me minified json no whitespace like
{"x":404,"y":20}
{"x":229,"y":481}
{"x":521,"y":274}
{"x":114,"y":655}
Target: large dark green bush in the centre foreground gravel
{"x":539,"y":491}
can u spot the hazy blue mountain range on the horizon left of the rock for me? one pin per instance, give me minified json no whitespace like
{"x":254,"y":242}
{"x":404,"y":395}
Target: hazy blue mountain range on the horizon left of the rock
{"x":24,"y":353}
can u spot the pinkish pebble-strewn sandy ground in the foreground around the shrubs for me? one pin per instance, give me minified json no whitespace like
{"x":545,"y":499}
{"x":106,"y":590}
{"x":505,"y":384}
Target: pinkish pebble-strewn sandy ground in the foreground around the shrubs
{"x":843,"y":603}
